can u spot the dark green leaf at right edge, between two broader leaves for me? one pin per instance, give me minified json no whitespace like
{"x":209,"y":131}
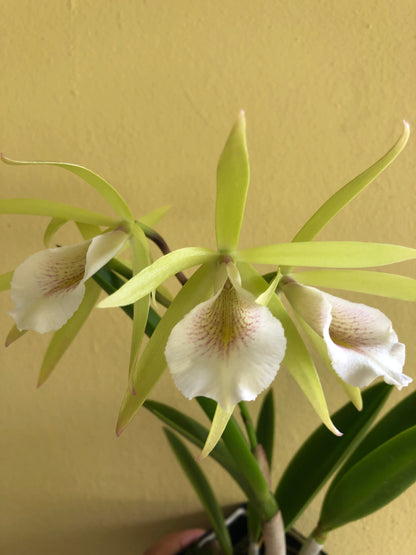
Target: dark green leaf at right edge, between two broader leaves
{"x":399,"y":418}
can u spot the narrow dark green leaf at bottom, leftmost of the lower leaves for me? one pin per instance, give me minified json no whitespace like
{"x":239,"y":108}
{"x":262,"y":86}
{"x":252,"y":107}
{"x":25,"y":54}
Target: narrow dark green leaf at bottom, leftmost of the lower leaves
{"x":202,"y":489}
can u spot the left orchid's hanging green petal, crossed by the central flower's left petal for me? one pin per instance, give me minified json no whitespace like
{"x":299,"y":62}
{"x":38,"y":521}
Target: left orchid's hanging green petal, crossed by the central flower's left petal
{"x":140,"y":258}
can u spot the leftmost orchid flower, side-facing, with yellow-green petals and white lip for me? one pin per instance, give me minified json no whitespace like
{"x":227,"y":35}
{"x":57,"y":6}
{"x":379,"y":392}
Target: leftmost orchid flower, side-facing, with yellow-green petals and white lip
{"x":51,"y":289}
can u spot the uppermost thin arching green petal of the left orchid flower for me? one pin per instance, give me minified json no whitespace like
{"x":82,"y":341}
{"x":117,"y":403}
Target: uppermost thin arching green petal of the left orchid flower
{"x":105,"y":189}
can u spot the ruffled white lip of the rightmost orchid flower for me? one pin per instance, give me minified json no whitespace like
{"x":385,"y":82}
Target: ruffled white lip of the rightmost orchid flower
{"x":360,"y":340}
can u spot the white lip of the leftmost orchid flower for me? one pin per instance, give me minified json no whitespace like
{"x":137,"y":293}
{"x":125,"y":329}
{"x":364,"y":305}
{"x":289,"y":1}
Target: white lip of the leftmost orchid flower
{"x":48,"y":287}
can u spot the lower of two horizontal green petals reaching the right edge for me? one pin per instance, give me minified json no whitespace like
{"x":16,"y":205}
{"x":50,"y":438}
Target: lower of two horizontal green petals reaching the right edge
{"x":361,"y":281}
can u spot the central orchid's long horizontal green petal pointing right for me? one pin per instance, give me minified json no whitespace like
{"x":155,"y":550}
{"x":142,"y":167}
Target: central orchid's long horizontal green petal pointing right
{"x":328,"y":254}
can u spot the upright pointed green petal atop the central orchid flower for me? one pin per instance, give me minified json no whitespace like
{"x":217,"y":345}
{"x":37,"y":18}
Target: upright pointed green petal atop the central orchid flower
{"x":233,"y":176}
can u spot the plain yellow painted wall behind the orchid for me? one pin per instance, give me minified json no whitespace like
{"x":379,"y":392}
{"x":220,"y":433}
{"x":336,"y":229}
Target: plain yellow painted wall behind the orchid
{"x":145,"y":92}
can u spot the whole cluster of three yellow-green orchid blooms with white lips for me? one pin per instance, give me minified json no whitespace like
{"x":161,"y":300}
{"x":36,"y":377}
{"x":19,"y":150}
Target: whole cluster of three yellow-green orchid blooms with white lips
{"x":226,"y":333}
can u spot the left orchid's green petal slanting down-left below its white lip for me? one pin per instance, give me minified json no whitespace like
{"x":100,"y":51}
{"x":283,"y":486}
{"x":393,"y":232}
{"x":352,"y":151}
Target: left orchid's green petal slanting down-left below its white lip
{"x":63,"y":338}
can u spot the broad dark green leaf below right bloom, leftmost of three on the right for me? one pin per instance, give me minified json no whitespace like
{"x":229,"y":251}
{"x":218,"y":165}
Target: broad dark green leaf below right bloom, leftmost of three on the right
{"x":322,"y":453}
